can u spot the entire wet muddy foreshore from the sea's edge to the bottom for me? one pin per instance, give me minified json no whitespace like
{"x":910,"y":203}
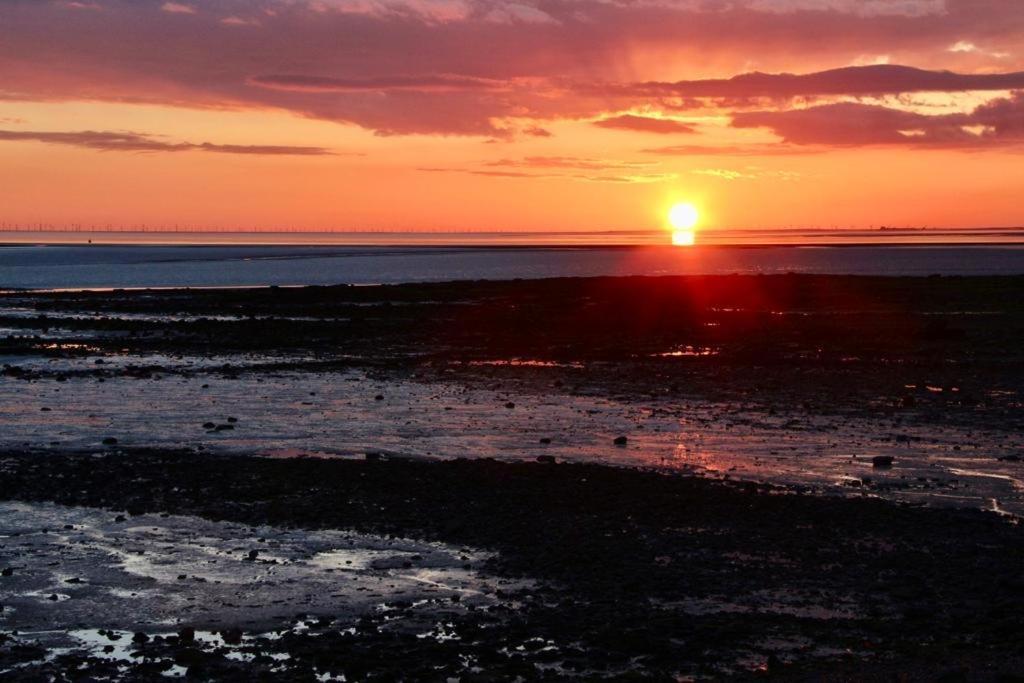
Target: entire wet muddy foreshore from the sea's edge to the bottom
{"x":745,"y":527}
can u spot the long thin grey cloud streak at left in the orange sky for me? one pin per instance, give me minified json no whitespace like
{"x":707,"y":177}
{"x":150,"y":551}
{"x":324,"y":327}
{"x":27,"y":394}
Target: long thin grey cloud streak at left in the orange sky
{"x":115,"y":142}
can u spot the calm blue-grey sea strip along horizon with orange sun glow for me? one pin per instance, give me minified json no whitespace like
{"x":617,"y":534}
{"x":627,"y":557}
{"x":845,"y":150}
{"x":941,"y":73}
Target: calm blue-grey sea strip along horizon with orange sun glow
{"x":75,"y":261}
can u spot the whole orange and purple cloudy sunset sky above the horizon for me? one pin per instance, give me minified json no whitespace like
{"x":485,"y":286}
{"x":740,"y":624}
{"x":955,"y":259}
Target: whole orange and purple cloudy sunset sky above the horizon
{"x":567,"y":115}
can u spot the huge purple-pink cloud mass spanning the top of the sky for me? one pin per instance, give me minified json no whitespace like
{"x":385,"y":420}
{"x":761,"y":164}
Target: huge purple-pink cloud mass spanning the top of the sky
{"x":489,"y":68}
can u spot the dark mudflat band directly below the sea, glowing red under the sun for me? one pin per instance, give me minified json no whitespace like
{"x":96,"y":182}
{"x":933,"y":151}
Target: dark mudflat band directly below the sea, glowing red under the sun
{"x":934,"y":349}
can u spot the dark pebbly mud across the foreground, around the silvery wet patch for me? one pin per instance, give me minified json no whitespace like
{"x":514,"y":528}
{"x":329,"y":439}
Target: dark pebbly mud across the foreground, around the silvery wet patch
{"x":627,"y":572}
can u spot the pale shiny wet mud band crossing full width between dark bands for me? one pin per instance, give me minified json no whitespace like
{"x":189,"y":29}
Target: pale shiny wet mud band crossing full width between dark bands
{"x":291,"y":414}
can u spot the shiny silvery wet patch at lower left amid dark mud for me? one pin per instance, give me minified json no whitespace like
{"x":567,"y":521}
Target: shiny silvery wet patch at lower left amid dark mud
{"x":152,"y":574}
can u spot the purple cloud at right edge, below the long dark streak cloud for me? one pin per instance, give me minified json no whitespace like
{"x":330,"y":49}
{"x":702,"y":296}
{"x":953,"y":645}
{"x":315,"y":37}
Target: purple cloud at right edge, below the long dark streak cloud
{"x":1000,"y":122}
